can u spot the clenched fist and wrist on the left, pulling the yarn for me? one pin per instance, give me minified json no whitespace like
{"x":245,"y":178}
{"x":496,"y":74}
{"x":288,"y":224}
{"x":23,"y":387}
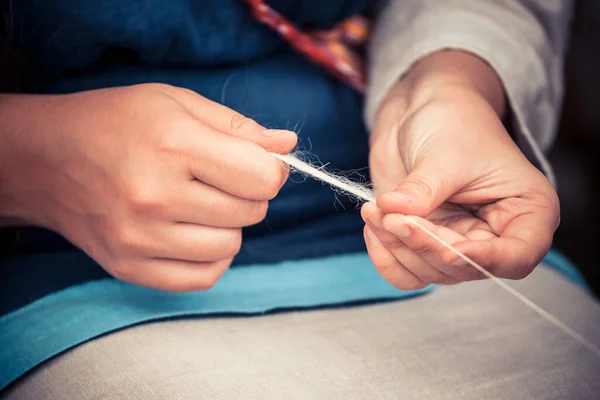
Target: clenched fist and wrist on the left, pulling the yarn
{"x":153,"y":182}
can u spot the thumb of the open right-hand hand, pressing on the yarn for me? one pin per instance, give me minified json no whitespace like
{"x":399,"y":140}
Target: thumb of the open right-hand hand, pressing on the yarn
{"x":422,"y":191}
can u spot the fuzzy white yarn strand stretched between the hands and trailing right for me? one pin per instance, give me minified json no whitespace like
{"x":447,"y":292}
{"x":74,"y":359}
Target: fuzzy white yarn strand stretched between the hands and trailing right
{"x":364,"y":193}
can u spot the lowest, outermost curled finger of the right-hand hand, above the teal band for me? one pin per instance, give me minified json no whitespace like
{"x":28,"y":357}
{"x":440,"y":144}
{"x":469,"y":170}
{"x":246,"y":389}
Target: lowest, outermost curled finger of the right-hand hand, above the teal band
{"x":387,"y":265}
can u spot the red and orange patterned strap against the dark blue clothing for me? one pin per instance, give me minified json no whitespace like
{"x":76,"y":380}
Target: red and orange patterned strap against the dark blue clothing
{"x":337,"y":50}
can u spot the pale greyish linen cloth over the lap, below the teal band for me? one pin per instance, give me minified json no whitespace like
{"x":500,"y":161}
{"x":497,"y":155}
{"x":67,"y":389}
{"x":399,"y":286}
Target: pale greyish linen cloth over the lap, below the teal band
{"x":471,"y":341}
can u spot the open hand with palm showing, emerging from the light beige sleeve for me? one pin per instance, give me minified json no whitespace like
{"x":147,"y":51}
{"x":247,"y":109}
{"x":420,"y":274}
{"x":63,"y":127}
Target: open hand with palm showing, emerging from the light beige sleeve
{"x":440,"y":152}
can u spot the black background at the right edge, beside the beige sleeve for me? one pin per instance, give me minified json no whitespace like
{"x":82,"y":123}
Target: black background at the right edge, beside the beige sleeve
{"x":575,"y":154}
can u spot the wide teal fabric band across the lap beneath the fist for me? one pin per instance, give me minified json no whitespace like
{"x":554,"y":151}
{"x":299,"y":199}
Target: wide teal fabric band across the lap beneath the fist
{"x":67,"y":318}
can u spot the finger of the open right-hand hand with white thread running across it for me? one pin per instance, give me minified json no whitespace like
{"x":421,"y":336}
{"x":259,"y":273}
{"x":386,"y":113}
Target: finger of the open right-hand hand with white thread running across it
{"x":428,"y":248}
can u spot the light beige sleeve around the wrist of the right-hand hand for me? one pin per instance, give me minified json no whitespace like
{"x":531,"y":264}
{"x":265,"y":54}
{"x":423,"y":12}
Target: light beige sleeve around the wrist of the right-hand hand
{"x":523,"y":40}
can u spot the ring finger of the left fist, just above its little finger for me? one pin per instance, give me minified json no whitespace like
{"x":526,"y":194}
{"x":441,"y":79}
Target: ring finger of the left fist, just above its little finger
{"x":197,"y":243}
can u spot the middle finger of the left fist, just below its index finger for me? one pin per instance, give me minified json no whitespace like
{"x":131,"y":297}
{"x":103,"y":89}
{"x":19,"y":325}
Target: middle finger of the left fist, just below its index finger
{"x":201,"y":204}
